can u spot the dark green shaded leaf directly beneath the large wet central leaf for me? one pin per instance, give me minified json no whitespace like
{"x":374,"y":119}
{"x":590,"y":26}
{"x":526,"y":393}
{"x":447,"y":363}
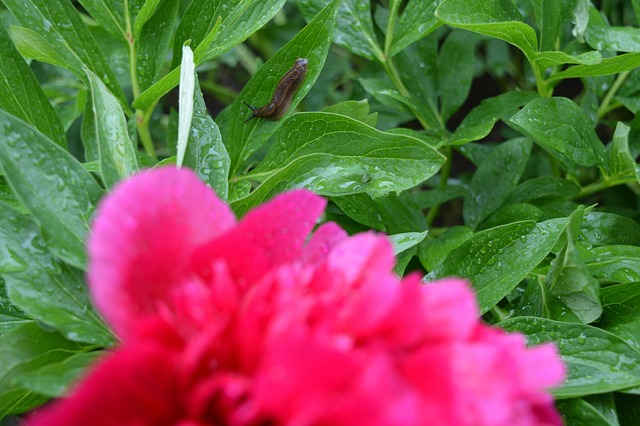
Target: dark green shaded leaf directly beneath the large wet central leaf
{"x":390,"y":214}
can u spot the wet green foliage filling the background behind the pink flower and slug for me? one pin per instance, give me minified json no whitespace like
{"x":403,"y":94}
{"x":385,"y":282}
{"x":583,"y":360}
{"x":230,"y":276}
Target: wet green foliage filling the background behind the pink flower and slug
{"x":492,"y":140}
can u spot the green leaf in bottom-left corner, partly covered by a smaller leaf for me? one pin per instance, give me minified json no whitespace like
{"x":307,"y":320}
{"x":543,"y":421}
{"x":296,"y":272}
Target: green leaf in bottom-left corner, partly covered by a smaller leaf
{"x":21,"y":351}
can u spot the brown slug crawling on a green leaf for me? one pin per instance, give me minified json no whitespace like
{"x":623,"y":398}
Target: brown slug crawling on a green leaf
{"x":285,"y":90}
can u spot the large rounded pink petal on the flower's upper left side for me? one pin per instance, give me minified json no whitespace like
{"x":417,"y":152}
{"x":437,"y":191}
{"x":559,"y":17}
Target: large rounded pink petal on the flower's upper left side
{"x":144,"y":234}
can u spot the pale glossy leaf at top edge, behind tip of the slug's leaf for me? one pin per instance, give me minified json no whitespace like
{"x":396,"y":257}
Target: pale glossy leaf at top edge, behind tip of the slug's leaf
{"x":354,"y":28}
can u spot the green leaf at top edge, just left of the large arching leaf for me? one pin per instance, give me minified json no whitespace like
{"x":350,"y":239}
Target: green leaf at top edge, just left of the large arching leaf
{"x":416,"y":21}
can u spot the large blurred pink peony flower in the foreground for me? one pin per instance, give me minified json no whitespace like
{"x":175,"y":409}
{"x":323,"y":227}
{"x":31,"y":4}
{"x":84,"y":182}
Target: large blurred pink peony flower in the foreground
{"x":256,"y":323}
